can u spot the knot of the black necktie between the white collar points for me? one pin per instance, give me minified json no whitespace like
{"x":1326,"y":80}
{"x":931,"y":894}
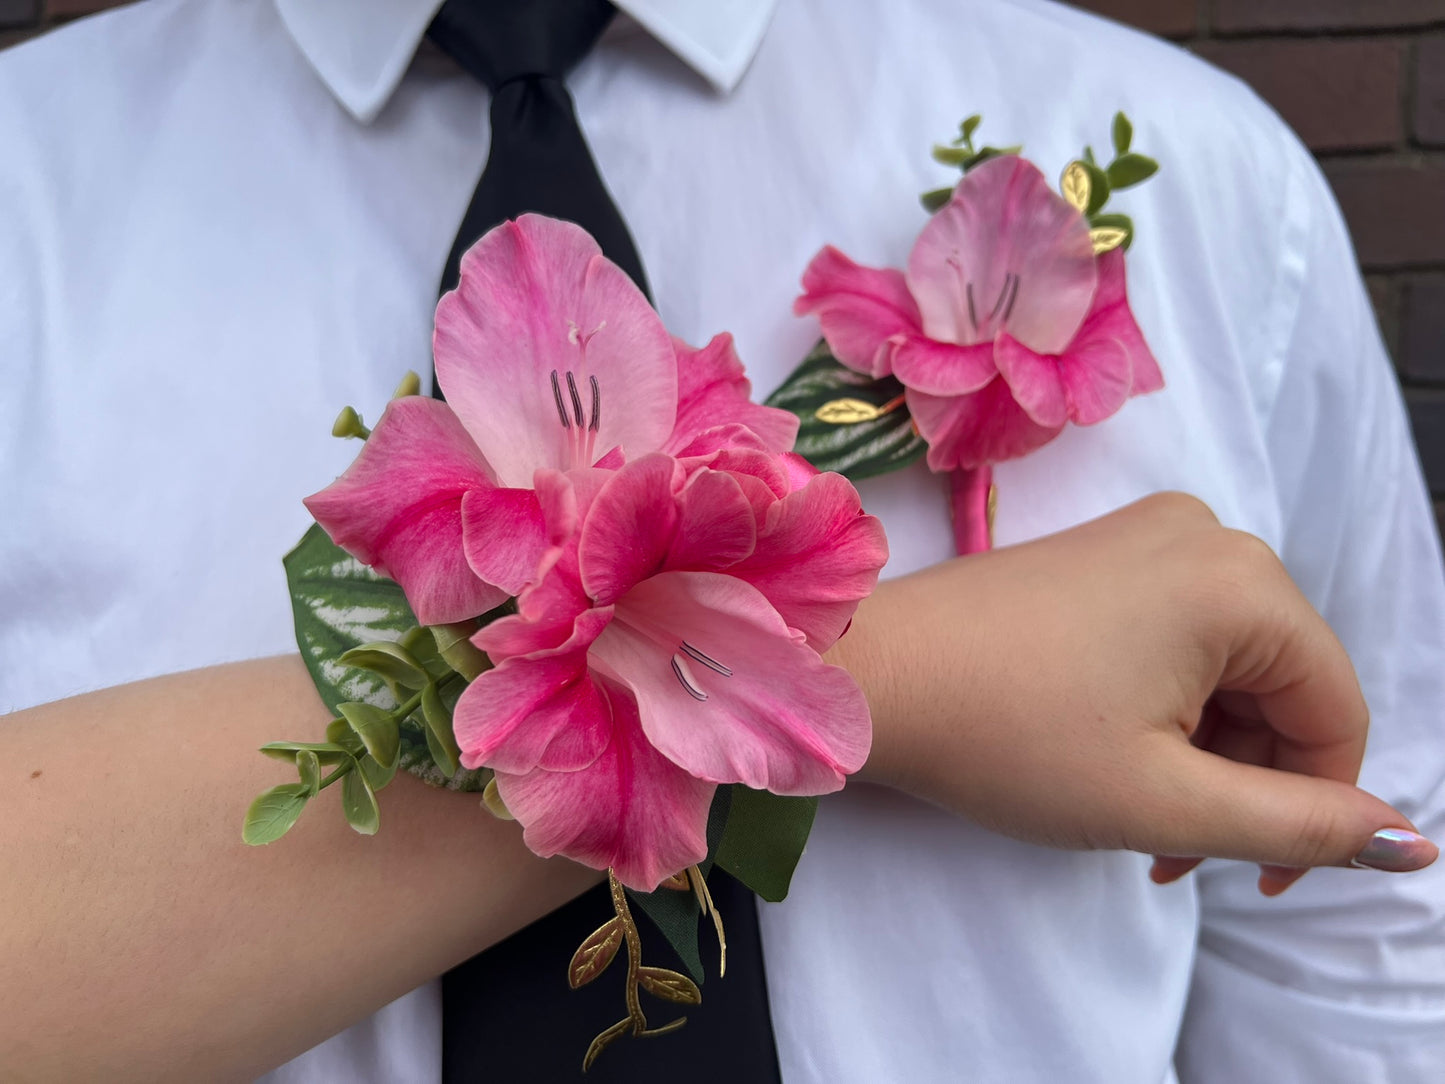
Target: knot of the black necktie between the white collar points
{"x":499,"y":41}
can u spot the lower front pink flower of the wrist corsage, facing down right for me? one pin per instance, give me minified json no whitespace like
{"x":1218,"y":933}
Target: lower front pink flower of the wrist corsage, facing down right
{"x":673,"y":642}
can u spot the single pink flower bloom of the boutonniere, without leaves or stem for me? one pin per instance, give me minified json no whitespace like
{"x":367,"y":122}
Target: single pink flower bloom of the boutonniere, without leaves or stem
{"x":1005,"y":327}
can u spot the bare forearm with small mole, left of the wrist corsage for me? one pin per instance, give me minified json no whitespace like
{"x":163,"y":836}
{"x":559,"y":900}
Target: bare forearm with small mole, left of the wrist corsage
{"x":142,"y":940}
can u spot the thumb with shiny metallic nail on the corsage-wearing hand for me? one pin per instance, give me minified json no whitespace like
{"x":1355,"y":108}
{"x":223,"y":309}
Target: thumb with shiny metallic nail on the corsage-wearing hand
{"x":1212,"y":807}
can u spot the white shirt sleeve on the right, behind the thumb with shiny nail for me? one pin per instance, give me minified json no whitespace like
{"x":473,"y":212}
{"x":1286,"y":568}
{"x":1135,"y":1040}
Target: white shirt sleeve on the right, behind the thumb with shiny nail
{"x":1342,"y":981}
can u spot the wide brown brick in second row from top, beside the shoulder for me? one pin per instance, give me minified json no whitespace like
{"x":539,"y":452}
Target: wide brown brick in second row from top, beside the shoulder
{"x":1337,"y":95}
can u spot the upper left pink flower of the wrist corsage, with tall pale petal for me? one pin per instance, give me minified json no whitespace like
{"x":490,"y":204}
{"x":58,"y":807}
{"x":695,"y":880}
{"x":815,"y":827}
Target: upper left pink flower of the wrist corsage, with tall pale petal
{"x":550,"y":359}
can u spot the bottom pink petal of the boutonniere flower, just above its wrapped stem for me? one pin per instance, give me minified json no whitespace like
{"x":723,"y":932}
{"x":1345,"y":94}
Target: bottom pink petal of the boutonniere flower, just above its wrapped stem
{"x":976,"y":430}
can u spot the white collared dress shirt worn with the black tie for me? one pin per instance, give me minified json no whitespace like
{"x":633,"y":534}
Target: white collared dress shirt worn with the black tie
{"x":226,"y":219}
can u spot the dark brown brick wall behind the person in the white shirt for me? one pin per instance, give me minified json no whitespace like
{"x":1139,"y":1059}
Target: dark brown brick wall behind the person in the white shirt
{"x":1363,"y":82}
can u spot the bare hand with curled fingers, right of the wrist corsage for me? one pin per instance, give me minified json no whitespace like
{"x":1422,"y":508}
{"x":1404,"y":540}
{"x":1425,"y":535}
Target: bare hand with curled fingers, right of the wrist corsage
{"x":1148,"y":681}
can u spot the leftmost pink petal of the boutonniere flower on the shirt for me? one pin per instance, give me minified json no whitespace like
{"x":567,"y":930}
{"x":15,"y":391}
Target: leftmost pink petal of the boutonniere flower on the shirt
{"x":860,"y":310}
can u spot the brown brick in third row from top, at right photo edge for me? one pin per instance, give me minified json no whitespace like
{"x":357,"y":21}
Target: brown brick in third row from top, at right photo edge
{"x":1395,"y":209}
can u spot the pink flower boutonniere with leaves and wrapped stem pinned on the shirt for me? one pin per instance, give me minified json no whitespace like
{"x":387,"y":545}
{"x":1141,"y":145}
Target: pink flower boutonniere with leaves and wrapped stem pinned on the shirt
{"x":1009,"y":323}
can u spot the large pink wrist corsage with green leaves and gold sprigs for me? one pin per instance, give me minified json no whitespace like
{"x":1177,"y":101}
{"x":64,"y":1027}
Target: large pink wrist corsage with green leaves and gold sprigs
{"x":593,"y":586}
